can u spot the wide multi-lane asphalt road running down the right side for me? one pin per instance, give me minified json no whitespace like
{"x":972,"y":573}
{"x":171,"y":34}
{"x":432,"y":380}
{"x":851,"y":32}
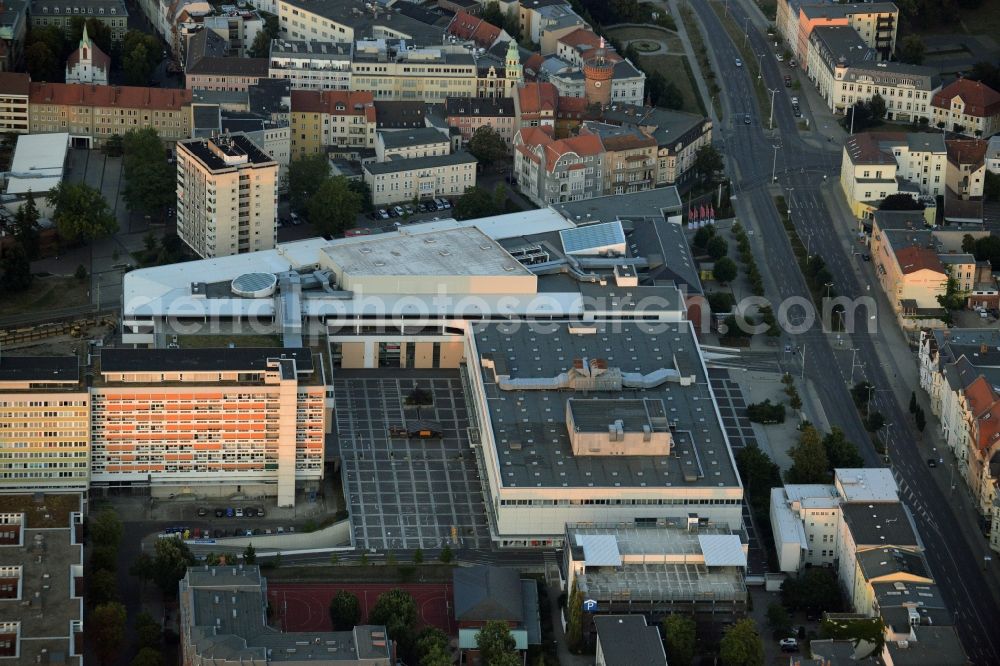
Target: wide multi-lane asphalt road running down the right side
{"x":953,"y":549}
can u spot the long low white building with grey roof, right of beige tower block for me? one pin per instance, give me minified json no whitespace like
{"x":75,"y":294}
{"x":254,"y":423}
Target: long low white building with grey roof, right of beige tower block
{"x":406,"y":179}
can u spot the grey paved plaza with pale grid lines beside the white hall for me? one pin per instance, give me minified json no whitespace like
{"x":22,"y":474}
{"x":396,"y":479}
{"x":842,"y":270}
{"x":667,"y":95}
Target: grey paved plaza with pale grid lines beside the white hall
{"x":407,"y":493}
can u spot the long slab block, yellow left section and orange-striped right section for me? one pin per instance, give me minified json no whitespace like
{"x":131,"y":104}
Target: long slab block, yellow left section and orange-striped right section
{"x":212,"y":422}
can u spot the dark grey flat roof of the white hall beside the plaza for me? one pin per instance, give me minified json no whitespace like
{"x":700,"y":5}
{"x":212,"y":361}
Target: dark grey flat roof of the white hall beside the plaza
{"x":531,"y":442}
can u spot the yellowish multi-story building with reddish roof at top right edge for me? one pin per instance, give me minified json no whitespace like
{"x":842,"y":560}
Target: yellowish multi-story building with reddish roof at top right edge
{"x":875,"y":22}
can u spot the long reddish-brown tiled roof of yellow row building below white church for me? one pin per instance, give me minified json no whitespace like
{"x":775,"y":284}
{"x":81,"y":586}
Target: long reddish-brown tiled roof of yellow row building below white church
{"x":132,"y":97}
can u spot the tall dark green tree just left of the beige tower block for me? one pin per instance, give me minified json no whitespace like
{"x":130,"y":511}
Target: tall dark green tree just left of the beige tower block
{"x":150,"y":180}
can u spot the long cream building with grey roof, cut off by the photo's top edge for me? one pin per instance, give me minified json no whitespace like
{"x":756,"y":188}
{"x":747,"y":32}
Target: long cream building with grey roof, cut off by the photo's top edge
{"x":351,"y":20}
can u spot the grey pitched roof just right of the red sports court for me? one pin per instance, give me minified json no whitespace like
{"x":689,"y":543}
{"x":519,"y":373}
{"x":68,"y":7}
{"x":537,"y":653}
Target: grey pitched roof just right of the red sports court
{"x":487,"y":593}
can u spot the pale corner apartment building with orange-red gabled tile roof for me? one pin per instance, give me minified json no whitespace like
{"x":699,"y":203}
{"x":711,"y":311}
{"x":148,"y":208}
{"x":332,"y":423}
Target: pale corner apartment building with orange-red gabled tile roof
{"x":550,"y":170}
